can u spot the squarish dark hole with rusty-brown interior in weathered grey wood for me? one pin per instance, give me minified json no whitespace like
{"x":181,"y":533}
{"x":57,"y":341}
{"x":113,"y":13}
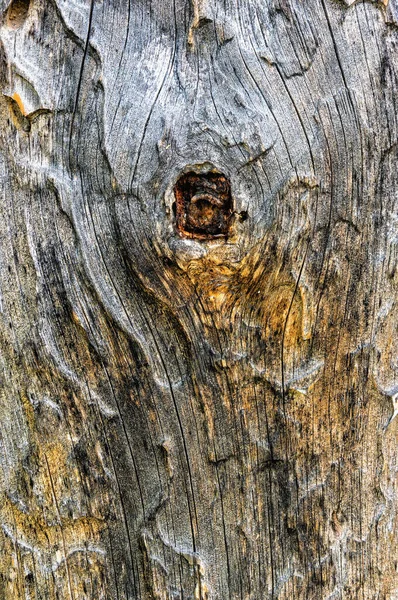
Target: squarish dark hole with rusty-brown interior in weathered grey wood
{"x":203,"y":206}
